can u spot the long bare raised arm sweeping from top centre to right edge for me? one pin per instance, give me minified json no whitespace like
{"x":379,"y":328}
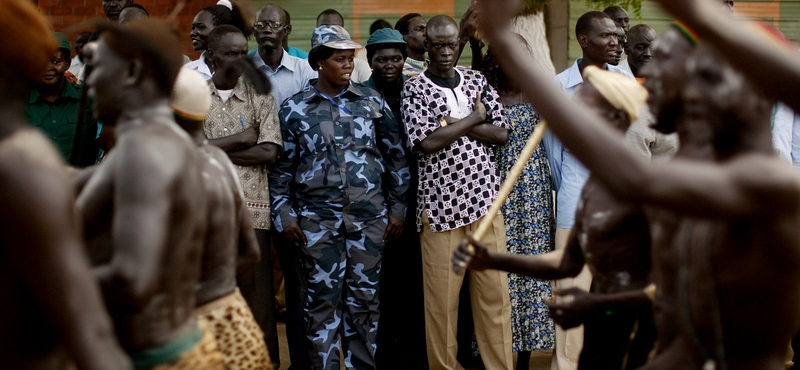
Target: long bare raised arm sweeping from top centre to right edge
{"x":696,"y":188}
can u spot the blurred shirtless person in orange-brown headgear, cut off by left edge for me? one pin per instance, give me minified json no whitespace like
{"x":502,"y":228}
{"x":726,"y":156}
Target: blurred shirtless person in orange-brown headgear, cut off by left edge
{"x":52,"y":313}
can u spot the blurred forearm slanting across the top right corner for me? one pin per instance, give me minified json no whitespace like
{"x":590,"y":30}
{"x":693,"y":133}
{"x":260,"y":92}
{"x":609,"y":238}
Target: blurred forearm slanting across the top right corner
{"x":745,"y":45}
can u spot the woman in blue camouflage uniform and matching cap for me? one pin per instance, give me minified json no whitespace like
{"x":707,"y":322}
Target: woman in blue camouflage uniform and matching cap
{"x":337,"y":191}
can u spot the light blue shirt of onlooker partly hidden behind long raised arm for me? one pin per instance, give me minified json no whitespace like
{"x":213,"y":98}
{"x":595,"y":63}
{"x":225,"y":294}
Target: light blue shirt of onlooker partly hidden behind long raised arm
{"x":568,"y":174}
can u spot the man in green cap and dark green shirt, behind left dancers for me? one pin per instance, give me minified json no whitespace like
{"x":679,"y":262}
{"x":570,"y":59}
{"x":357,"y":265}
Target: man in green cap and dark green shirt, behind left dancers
{"x":53,"y":107}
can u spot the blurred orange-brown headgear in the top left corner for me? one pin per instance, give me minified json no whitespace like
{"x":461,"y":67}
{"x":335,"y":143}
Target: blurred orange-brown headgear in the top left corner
{"x":27,"y":42}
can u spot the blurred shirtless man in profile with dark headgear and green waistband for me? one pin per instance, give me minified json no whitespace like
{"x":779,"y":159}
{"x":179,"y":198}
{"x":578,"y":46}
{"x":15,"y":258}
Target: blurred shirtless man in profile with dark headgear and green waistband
{"x":144,"y":206}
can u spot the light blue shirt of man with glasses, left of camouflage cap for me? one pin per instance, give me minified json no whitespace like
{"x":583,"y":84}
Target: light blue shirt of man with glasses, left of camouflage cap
{"x":290,"y":78}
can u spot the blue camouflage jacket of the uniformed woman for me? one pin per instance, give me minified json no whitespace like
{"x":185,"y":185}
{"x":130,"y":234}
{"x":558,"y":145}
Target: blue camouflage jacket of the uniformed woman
{"x":342,"y":162}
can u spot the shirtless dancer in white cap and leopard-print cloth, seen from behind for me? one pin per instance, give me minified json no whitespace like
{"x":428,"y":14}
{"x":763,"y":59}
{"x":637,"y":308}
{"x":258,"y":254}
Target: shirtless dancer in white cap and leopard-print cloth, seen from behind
{"x":230,"y":243}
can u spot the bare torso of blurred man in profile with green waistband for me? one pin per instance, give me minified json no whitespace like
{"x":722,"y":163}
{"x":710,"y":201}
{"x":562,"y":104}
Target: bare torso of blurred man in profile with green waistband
{"x":167,"y":314}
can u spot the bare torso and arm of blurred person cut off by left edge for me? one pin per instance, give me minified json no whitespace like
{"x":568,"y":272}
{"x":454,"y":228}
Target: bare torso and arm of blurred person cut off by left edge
{"x":43,"y":269}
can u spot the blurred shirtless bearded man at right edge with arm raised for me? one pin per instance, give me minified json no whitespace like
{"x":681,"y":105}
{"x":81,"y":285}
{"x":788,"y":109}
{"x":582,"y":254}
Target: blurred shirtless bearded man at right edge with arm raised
{"x":736,"y":245}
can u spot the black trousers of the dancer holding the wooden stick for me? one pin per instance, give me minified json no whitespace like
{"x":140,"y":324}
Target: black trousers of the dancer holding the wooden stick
{"x":607,"y":339}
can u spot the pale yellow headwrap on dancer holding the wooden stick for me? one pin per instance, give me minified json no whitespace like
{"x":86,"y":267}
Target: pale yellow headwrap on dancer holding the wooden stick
{"x":622,"y":92}
